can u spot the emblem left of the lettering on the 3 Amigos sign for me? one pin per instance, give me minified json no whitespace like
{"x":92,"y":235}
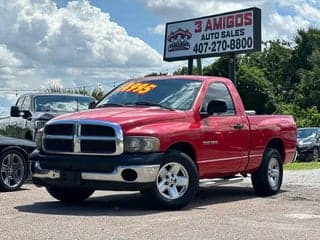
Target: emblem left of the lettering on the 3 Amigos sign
{"x":178,"y":40}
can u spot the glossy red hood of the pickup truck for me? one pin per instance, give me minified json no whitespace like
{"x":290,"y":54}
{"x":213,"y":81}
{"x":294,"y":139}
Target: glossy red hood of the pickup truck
{"x":127,"y":117}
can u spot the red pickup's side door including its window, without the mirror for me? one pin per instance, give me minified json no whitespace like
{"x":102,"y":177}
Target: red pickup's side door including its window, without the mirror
{"x":225,"y":136}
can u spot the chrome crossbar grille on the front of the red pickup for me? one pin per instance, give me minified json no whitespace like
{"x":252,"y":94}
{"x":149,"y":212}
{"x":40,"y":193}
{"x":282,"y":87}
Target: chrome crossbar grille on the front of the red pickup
{"x":83,"y":137}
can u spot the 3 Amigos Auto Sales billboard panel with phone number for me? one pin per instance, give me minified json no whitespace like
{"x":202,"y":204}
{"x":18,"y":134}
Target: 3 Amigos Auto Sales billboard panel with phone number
{"x":232,"y":32}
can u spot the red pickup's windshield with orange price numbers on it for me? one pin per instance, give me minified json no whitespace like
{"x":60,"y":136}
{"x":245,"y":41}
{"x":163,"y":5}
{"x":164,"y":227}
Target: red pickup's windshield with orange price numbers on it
{"x":174,"y":94}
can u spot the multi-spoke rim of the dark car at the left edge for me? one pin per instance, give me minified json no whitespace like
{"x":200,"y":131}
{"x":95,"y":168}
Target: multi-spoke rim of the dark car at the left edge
{"x":12,"y":170}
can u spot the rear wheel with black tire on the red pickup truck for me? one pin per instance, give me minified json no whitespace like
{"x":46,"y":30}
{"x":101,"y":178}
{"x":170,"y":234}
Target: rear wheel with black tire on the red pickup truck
{"x":267,"y":179}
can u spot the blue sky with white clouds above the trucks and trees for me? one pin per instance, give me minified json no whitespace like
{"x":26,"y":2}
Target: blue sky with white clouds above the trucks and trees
{"x":94,"y":43}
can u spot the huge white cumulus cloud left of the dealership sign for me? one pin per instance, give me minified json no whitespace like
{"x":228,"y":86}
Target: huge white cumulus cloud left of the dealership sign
{"x":74,"y":45}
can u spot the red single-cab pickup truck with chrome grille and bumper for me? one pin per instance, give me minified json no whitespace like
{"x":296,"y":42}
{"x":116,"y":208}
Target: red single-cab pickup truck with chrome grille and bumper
{"x":164,"y":136}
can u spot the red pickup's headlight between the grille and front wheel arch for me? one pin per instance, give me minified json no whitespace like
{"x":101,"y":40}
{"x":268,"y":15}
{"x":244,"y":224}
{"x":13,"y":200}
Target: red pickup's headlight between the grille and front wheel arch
{"x":141,"y":144}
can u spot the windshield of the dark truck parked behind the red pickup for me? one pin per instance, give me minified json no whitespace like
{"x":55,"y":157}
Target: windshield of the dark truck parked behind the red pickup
{"x":63,"y":104}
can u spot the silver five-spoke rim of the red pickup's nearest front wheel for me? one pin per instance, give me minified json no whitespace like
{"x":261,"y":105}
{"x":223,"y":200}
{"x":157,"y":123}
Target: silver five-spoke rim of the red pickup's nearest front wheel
{"x":172,"y":180}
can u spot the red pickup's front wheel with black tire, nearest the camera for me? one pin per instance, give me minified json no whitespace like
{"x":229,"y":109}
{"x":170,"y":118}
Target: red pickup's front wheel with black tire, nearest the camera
{"x":178,"y":189}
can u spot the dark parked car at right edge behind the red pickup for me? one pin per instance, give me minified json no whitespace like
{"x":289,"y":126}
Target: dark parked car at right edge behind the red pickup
{"x":308,"y":143}
